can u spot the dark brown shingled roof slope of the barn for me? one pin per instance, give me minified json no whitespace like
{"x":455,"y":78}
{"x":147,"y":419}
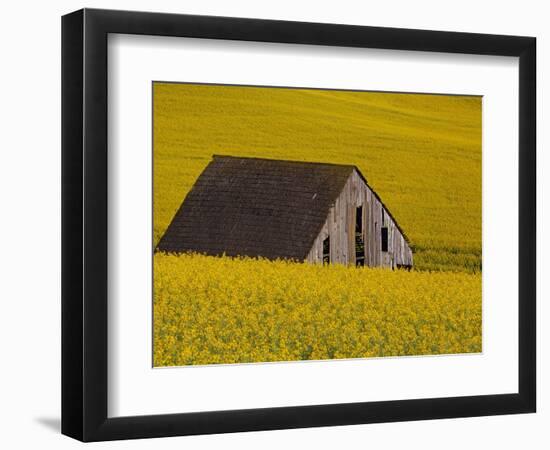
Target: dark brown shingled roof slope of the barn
{"x":255,"y":207}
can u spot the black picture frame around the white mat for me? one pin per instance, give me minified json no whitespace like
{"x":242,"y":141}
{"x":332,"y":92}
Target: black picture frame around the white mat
{"x":84,"y":224}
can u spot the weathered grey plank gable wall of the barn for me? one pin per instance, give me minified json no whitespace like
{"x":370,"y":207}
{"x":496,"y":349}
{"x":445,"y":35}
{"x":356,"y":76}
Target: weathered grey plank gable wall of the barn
{"x":340,"y":226}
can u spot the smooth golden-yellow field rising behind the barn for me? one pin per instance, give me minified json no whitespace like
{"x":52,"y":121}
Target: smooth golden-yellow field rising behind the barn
{"x":421,"y":153}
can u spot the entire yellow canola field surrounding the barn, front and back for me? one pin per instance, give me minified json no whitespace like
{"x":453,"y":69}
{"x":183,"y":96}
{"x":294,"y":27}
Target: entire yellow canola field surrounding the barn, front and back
{"x":421,"y":153}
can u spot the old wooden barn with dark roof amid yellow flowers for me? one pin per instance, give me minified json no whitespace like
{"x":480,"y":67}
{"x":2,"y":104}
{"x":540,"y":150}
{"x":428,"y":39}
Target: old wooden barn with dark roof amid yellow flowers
{"x":302,"y":211}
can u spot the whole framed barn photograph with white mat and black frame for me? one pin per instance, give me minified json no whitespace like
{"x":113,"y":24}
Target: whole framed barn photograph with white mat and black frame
{"x":272,"y":224}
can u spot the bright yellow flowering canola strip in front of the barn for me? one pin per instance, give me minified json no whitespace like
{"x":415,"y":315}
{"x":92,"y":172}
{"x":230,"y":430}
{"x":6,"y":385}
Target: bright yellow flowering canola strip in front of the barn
{"x":210,"y":310}
